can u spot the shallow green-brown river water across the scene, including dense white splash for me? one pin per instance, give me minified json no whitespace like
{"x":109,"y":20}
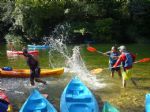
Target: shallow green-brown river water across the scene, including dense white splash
{"x":78,"y":62}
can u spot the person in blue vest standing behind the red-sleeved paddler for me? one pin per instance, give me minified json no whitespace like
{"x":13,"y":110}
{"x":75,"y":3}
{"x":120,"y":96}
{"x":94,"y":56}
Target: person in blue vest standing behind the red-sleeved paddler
{"x":113,"y":56}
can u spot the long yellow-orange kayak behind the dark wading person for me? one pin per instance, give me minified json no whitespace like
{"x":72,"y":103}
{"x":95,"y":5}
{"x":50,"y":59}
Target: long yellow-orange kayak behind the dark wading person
{"x":25,"y":73}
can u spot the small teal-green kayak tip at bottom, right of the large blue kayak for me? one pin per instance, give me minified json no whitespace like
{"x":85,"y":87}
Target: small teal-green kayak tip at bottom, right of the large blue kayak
{"x":109,"y":108}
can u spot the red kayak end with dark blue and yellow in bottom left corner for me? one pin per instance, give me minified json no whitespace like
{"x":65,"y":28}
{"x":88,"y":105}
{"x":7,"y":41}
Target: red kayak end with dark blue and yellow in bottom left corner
{"x":5,"y":105}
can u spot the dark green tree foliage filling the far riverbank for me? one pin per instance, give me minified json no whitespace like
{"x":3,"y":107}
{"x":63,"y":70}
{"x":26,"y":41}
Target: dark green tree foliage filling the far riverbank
{"x":107,"y":20}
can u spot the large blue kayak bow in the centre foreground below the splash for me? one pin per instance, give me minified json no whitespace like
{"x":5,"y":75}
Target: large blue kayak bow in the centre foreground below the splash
{"x":76,"y":97}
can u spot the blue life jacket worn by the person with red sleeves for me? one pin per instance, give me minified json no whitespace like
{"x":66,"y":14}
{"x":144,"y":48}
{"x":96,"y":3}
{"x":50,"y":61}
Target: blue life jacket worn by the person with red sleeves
{"x":129,"y":61}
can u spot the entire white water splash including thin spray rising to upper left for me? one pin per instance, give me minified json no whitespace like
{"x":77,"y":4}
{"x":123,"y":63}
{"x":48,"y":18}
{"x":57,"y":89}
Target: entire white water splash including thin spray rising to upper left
{"x":73,"y":63}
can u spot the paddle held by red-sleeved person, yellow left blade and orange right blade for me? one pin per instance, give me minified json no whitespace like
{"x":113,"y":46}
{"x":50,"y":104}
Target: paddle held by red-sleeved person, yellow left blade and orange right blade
{"x":98,"y":70}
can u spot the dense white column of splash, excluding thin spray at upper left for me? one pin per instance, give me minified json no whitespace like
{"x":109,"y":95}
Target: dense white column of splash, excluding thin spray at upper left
{"x":77,"y":66}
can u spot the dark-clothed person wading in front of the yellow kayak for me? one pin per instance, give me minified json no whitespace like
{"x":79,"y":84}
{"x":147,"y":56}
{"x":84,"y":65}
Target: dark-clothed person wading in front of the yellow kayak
{"x":34,"y":68}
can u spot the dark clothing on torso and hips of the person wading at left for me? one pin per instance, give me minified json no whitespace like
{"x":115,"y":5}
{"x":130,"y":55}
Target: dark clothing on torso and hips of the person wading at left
{"x":34,"y":66}
